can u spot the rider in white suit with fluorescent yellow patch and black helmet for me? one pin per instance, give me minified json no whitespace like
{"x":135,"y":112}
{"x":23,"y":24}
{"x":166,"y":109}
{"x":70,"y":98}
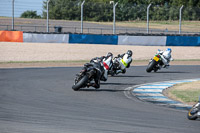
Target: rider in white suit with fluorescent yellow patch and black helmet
{"x":125,"y":61}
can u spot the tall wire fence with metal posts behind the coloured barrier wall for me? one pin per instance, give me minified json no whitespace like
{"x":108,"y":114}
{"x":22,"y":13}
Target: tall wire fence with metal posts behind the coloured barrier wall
{"x":98,"y":18}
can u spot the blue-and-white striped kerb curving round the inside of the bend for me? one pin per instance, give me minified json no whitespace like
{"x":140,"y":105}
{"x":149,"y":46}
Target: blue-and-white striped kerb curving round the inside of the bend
{"x":152,"y":92}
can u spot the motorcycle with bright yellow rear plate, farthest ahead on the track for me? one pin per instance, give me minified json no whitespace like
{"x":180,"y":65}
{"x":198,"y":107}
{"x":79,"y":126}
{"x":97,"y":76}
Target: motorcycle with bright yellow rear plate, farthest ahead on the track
{"x":155,"y":63}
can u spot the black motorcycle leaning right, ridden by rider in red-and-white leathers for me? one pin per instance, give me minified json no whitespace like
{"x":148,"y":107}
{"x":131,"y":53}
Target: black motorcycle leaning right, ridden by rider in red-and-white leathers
{"x":86,"y":75}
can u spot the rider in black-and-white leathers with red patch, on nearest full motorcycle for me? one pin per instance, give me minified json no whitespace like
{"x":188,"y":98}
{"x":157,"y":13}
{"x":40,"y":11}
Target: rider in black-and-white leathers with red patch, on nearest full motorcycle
{"x":102,"y":64}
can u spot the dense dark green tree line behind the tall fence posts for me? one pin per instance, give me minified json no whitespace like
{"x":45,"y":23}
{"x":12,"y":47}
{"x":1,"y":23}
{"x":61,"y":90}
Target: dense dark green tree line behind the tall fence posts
{"x":126,"y":10}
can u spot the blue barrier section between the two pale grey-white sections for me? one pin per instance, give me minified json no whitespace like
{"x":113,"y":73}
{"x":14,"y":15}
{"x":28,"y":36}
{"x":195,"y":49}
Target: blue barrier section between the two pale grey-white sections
{"x":93,"y":39}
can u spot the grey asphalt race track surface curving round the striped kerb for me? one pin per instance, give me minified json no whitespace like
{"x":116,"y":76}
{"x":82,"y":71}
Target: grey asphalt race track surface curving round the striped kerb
{"x":40,"y":100}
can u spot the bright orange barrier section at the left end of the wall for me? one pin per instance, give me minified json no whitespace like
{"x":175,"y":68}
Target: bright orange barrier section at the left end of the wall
{"x":11,"y":36}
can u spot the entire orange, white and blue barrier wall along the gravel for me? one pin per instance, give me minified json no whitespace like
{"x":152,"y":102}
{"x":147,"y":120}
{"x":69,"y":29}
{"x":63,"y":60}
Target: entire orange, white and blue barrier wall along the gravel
{"x":19,"y":36}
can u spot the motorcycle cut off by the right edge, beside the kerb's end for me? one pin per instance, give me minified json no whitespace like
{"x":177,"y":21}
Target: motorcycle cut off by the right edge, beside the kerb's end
{"x":194,"y":112}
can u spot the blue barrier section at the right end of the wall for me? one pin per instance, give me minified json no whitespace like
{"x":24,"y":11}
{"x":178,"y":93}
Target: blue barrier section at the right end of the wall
{"x":183,"y":41}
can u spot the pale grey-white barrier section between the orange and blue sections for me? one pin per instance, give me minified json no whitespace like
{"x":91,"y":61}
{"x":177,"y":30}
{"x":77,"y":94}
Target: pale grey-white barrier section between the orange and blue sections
{"x":46,"y":38}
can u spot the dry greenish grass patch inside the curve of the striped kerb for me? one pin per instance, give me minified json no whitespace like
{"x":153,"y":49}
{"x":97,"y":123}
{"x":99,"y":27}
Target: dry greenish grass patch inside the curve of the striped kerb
{"x":187,"y":96}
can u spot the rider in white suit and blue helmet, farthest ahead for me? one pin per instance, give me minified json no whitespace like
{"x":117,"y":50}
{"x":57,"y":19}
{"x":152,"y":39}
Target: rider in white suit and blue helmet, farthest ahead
{"x":166,"y":57}
